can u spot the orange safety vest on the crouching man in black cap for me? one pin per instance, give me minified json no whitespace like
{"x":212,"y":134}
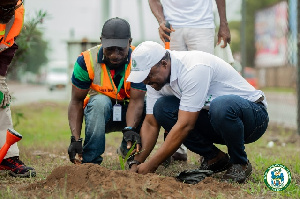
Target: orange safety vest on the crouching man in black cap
{"x":102,"y":83}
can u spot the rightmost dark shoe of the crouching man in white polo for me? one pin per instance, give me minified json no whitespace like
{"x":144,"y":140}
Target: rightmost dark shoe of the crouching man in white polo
{"x":238,"y":173}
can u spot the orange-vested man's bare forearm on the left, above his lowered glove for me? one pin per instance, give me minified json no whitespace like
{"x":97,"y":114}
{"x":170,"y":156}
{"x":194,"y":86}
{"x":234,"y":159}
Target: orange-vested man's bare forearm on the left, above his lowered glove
{"x":75,"y":111}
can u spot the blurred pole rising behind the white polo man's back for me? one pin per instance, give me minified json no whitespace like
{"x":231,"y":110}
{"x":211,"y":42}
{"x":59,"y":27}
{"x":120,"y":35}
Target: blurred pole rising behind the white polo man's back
{"x":243,"y":37}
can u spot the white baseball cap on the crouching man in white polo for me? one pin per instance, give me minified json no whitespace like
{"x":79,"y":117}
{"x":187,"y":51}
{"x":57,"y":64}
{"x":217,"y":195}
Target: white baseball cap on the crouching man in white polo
{"x":143,"y":58}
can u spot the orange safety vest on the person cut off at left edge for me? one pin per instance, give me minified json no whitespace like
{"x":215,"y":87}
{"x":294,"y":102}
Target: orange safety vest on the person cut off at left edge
{"x":9,"y":31}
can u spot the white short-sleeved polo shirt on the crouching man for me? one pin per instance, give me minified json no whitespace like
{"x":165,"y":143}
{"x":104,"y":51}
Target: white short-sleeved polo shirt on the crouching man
{"x":197,"y":78}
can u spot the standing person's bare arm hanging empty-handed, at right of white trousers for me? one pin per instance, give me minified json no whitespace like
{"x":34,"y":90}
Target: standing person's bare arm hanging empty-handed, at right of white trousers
{"x":224,"y":31}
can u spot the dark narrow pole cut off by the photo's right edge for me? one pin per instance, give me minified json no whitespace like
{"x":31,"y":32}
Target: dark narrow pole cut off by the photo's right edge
{"x":298,"y":66}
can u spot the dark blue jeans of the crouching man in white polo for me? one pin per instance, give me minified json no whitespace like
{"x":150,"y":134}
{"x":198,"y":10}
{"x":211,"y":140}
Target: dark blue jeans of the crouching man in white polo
{"x":231,"y":121}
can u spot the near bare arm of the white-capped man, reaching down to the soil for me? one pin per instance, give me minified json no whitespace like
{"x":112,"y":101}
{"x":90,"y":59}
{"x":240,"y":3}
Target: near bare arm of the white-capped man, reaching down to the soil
{"x":185,"y":123}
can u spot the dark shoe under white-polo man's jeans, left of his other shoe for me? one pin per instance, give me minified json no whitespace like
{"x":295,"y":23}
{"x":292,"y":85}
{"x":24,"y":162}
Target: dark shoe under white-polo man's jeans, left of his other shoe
{"x":220,"y":165}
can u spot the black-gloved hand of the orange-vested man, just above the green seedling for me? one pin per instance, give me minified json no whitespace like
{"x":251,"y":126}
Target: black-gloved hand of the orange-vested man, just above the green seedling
{"x":130,"y":136}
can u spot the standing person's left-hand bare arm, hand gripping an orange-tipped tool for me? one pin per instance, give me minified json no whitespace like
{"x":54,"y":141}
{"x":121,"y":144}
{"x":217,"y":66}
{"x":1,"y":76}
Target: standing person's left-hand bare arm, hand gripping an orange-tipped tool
{"x":157,"y":10}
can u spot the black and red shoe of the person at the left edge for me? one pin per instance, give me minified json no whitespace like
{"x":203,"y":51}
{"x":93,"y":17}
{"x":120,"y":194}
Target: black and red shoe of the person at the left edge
{"x":17,"y":168}
